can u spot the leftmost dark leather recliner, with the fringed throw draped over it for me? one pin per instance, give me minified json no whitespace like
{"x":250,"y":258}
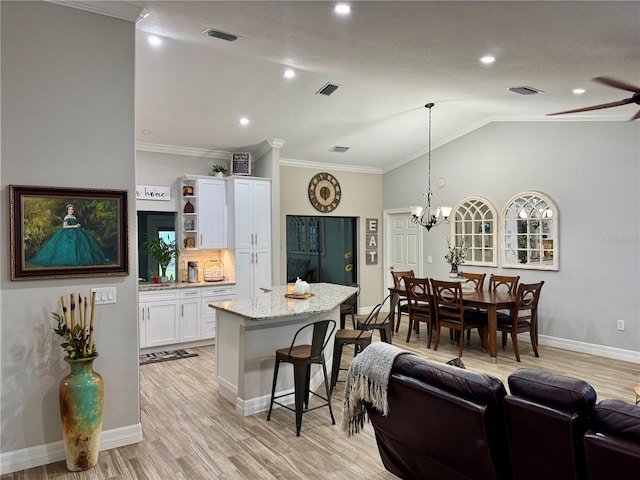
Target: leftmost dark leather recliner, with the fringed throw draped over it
{"x":444,"y":423}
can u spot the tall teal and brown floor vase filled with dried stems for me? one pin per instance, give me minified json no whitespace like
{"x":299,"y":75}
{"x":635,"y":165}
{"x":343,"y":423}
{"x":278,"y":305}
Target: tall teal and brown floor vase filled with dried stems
{"x":82,"y":391}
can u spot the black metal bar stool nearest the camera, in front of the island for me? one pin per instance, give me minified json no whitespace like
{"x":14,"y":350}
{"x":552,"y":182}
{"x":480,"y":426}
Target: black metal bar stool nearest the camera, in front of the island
{"x":302,"y":357}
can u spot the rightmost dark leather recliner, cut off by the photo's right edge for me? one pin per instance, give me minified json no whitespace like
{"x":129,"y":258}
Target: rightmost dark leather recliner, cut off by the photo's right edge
{"x":612,"y":444}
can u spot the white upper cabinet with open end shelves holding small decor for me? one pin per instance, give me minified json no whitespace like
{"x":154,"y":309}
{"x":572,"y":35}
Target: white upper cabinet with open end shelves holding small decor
{"x":203,"y":213}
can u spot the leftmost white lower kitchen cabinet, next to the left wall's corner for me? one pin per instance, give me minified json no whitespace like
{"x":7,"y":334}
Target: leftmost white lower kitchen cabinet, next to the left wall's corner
{"x":158,"y":312}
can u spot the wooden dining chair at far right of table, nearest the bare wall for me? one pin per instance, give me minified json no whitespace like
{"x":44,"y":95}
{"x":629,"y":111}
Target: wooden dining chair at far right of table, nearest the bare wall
{"x":524,"y":317}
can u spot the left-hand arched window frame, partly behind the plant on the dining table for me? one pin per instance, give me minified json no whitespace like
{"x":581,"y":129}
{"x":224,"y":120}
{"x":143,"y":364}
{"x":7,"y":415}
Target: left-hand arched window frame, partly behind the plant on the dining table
{"x":474,"y":221}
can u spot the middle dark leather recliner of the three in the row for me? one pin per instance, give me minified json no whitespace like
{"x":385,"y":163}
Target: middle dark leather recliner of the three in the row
{"x":547,"y":417}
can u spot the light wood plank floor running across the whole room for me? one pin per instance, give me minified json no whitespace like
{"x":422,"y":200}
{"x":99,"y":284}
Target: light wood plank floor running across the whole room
{"x":191,"y":433}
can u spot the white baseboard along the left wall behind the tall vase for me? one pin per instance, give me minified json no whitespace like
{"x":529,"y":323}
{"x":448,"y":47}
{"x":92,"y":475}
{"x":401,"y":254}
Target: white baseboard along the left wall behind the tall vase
{"x":54,"y":452}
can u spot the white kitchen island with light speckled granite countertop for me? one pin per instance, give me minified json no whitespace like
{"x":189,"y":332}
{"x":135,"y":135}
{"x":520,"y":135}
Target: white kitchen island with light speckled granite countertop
{"x":248,"y":333}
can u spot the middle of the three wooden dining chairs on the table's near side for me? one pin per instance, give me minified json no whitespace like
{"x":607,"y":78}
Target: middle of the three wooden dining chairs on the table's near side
{"x":450,"y":313}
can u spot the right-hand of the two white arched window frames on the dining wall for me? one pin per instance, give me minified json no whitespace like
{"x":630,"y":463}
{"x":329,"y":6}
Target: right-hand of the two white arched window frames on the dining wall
{"x":530,"y":238}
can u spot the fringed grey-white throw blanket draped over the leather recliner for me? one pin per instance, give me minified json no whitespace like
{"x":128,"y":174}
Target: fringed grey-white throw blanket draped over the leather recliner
{"x":367,"y":381}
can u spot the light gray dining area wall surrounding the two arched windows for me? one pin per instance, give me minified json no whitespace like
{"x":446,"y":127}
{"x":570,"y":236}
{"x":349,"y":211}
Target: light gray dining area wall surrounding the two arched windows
{"x":591,"y":171}
